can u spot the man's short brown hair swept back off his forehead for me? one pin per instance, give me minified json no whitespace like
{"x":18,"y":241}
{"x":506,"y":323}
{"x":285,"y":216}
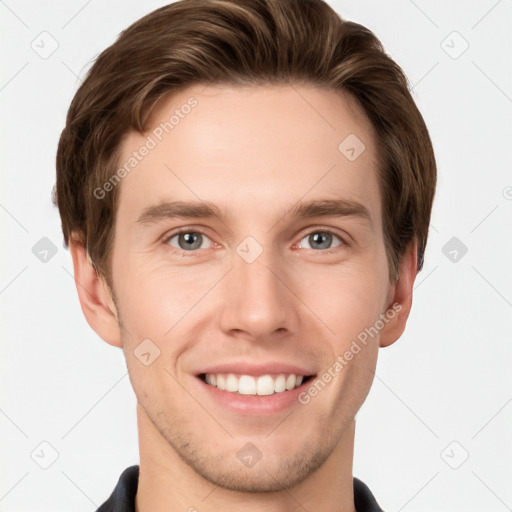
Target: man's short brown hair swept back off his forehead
{"x":241,"y":42}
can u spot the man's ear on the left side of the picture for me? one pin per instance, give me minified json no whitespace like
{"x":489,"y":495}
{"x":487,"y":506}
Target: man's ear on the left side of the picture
{"x":95,"y":298}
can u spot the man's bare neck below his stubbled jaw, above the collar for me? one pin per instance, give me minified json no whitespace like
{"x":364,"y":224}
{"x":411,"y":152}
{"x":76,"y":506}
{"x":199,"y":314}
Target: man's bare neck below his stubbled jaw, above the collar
{"x":167,"y":483}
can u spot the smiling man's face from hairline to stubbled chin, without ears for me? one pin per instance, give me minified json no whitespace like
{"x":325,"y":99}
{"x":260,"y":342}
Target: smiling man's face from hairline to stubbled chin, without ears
{"x":258,"y":291}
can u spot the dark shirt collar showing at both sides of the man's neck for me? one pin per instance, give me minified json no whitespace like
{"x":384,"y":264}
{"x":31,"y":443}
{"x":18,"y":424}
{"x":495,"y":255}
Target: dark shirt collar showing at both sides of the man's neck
{"x":122,"y":498}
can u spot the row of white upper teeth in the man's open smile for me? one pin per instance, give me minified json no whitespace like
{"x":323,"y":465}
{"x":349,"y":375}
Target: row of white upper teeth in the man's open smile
{"x":250,"y":385}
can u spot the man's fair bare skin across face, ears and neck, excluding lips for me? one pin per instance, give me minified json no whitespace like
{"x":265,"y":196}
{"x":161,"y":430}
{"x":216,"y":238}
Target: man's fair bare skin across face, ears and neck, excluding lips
{"x":254,"y":152}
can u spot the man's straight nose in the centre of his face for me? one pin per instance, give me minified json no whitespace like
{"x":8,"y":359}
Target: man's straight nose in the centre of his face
{"x":258,"y":302}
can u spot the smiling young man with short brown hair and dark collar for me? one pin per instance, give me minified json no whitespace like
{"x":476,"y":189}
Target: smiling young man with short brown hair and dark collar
{"x":245,"y":187}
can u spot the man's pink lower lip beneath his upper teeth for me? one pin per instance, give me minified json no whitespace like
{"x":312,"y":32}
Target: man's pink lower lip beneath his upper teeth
{"x":255,"y":404}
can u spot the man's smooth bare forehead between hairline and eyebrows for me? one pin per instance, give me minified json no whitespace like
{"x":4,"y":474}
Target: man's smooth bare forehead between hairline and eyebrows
{"x":251,"y":147}
